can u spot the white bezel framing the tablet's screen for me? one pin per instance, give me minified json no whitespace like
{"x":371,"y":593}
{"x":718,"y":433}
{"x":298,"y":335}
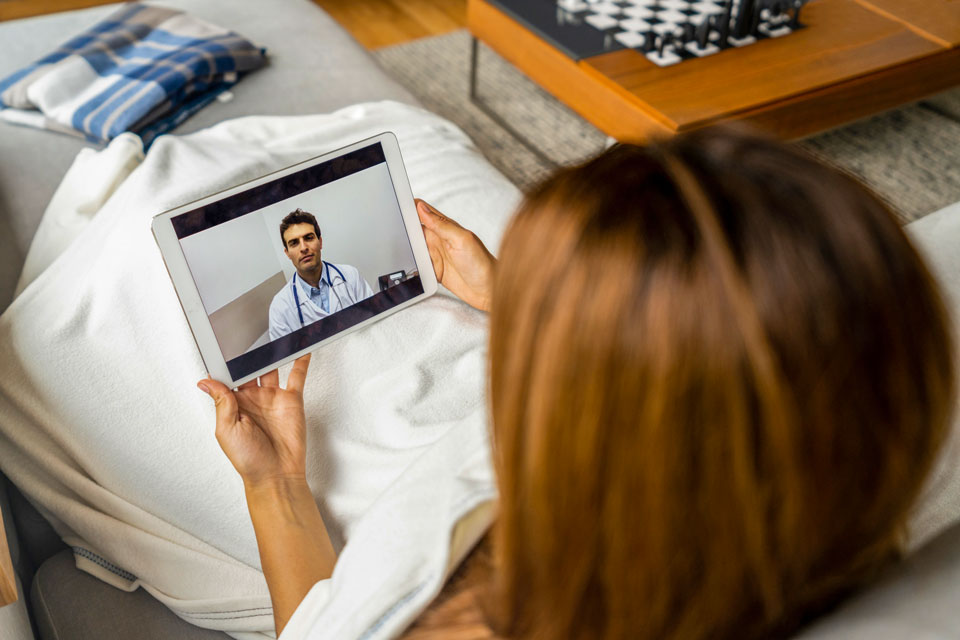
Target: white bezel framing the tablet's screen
{"x":189,"y":295}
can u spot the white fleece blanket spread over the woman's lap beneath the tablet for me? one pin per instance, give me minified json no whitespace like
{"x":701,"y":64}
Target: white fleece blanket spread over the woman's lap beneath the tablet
{"x":102,"y":427}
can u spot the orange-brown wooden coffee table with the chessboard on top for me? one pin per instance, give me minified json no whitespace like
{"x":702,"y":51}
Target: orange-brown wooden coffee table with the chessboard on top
{"x":854,"y":59}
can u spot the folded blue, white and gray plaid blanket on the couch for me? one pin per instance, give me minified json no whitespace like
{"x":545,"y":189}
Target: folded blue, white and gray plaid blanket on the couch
{"x":144,"y":69}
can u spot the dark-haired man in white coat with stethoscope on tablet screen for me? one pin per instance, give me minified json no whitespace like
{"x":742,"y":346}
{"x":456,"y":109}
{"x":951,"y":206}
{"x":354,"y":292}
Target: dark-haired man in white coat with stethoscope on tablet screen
{"x":318,"y":288}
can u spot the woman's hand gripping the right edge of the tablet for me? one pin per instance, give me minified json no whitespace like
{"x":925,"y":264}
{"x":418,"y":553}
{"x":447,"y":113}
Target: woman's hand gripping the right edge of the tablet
{"x":463,"y":265}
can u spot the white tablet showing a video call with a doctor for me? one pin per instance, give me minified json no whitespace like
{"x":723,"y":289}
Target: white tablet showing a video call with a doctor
{"x":271,"y":269}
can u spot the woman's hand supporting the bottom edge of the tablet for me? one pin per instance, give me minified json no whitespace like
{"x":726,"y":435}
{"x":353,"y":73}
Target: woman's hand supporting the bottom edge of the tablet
{"x":262,"y":428}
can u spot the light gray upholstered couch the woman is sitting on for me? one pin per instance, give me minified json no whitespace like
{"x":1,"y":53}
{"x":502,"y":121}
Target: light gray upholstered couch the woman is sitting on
{"x":315,"y":67}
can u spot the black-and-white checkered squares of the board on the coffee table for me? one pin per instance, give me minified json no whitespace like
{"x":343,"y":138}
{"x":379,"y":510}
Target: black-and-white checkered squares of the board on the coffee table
{"x":642,"y":24}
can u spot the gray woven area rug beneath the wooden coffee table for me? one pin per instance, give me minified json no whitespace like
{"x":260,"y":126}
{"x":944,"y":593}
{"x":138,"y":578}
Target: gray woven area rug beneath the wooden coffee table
{"x":910,"y":156}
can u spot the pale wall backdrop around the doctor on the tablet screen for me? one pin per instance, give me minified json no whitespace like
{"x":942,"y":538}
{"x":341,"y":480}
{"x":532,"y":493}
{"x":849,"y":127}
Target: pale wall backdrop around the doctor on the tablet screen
{"x":240,"y":265}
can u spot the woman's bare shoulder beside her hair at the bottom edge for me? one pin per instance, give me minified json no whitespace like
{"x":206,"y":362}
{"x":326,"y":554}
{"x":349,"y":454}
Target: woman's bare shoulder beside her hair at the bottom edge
{"x":459,"y":612}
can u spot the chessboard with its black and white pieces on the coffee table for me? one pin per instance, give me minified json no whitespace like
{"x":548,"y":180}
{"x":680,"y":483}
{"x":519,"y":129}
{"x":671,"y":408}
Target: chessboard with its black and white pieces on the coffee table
{"x":671,"y":31}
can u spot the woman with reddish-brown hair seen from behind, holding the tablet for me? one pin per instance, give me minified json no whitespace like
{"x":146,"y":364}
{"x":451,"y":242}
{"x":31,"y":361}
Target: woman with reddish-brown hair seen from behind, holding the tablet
{"x":719,"y":376}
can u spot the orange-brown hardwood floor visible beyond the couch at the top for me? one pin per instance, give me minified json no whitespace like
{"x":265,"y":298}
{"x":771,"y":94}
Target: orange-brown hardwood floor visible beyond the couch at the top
{"x":374,"y":23}
